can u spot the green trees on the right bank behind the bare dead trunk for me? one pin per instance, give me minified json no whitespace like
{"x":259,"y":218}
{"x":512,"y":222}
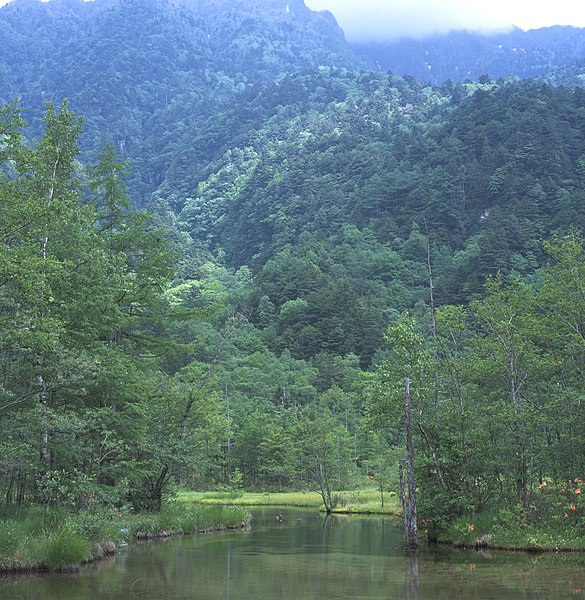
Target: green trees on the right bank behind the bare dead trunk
{"x":505,"y":371}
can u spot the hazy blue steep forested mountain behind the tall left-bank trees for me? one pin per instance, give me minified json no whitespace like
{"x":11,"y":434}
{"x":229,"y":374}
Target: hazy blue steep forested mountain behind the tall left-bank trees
{"x":144,"y":72}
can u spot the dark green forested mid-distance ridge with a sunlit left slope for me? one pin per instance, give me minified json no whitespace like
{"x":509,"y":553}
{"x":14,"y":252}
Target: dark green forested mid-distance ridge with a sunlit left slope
{"x":487,"y":169}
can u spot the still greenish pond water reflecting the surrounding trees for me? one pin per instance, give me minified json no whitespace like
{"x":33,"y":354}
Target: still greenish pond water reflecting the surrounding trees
{"x":307,"y":557}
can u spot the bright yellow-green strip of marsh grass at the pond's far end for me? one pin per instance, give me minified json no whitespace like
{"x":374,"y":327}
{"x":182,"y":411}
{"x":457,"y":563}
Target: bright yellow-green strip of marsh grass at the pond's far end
{"x":362,"y":501}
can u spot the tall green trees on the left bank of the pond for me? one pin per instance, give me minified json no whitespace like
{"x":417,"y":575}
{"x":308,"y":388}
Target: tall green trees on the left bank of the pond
{"x":80,"y":293}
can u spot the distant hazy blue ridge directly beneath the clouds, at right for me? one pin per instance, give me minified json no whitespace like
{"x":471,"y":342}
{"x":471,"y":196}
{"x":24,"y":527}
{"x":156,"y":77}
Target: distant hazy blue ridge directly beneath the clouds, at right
{"x":464,"y":55}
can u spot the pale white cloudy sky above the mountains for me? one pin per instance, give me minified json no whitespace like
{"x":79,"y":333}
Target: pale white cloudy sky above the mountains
{"x":391,"y":19}
